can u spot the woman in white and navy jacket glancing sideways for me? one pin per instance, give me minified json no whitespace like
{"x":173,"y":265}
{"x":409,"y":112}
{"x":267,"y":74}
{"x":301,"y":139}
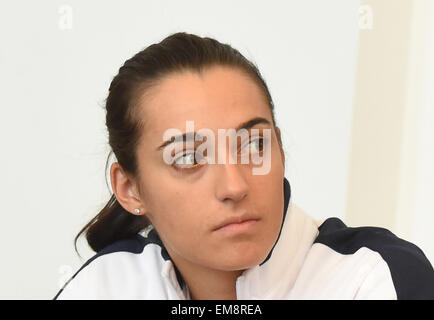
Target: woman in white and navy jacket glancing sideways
{"x":218,"y":230}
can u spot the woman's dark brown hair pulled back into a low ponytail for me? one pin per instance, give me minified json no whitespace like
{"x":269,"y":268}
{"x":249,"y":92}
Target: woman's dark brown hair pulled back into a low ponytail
{"x":176,"y":53}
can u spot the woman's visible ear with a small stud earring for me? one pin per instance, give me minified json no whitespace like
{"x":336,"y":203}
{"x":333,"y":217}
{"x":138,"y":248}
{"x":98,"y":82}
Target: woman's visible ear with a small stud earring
{"x":124,"y":187}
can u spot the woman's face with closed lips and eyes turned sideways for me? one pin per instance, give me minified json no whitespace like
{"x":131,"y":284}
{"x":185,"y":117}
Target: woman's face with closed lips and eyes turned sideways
{"x":186,"y":205}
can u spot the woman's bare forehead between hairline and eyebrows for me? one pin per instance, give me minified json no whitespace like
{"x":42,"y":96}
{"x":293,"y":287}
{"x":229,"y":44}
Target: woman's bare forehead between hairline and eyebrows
{"x":221,"y":97}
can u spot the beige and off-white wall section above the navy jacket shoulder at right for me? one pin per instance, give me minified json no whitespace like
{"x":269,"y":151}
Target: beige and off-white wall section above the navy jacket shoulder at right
{"x":391,"y":171}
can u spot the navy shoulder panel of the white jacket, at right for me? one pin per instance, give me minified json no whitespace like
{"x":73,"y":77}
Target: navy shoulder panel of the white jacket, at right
{"x":411,"y":272}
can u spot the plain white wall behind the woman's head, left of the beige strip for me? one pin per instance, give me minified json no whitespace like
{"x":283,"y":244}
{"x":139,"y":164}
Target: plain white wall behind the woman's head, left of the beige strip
{"x":57,"y":59}
